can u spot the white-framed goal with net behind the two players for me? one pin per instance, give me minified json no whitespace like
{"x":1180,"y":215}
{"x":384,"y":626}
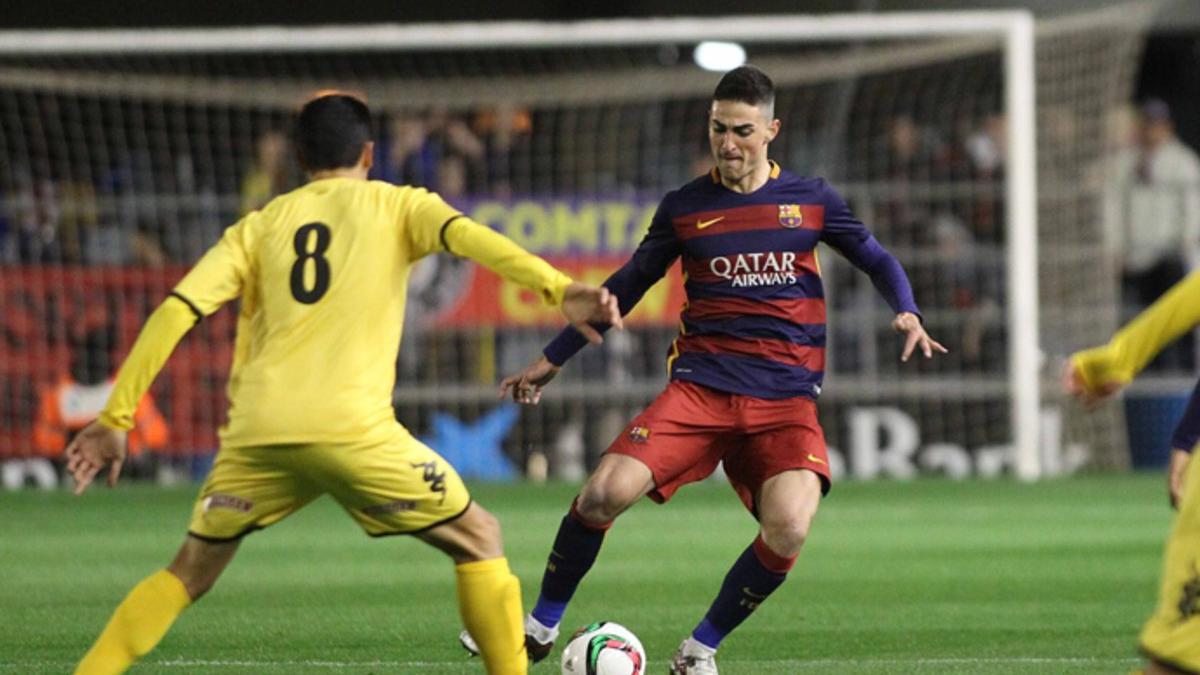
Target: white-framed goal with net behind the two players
{"x":123,"y":156}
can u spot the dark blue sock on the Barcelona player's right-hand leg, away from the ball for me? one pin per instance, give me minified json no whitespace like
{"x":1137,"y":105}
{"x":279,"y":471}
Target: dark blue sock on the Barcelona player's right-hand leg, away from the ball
{"x":754,"y":577}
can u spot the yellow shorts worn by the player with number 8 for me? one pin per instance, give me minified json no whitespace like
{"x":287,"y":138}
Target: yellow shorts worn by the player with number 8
{"x":398,"y":487}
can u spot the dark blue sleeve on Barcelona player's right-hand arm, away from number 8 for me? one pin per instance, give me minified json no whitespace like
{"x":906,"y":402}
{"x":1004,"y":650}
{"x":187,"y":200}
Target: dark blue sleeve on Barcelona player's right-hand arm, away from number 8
{"x":851,"y":238}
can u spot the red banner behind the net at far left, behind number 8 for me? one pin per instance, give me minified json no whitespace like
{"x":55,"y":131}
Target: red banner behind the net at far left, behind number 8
{"x":47,"y":313}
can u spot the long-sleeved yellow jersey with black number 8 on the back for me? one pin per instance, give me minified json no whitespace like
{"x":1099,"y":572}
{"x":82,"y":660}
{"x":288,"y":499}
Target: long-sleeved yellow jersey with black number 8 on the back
{"x":322,"y":273}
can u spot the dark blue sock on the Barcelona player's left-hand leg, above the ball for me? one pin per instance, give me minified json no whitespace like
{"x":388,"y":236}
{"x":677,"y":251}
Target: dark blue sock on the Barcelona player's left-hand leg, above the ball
{"x":575,"y":549}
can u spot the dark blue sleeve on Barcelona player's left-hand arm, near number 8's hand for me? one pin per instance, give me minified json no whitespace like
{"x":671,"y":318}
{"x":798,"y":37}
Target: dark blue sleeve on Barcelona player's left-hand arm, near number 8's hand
{"x":652,"y":260}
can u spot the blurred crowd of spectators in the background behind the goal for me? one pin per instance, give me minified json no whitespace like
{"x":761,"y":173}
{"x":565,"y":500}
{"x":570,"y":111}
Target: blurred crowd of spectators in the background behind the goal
{"x":933,"y":194}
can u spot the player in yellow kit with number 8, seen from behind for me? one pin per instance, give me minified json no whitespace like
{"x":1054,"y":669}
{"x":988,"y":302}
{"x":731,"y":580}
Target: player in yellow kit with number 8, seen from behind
{"x":322,"y":274}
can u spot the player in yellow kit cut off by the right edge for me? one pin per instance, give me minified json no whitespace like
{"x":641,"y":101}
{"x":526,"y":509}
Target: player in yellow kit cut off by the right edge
{"x":1171,"y":638}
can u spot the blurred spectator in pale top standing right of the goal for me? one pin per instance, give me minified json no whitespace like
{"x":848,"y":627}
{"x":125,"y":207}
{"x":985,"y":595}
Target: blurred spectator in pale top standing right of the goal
{"x":1153,"y":218}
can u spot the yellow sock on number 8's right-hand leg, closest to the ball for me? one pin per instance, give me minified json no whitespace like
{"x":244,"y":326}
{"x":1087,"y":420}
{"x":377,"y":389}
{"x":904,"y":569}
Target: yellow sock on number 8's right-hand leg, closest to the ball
{"x":490,"y":604}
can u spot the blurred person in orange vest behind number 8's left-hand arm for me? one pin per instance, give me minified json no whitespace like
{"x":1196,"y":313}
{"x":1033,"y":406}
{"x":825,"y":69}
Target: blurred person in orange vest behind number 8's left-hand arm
{"x":76,"y":401}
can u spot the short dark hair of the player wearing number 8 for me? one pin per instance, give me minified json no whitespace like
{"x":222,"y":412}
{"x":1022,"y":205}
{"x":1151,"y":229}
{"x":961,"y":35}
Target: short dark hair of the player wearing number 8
{"x":331,"y":132}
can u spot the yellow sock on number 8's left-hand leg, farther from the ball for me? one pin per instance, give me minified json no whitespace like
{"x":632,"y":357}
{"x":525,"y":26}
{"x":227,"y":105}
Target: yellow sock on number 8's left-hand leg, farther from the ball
{"x":139,"y":624}
